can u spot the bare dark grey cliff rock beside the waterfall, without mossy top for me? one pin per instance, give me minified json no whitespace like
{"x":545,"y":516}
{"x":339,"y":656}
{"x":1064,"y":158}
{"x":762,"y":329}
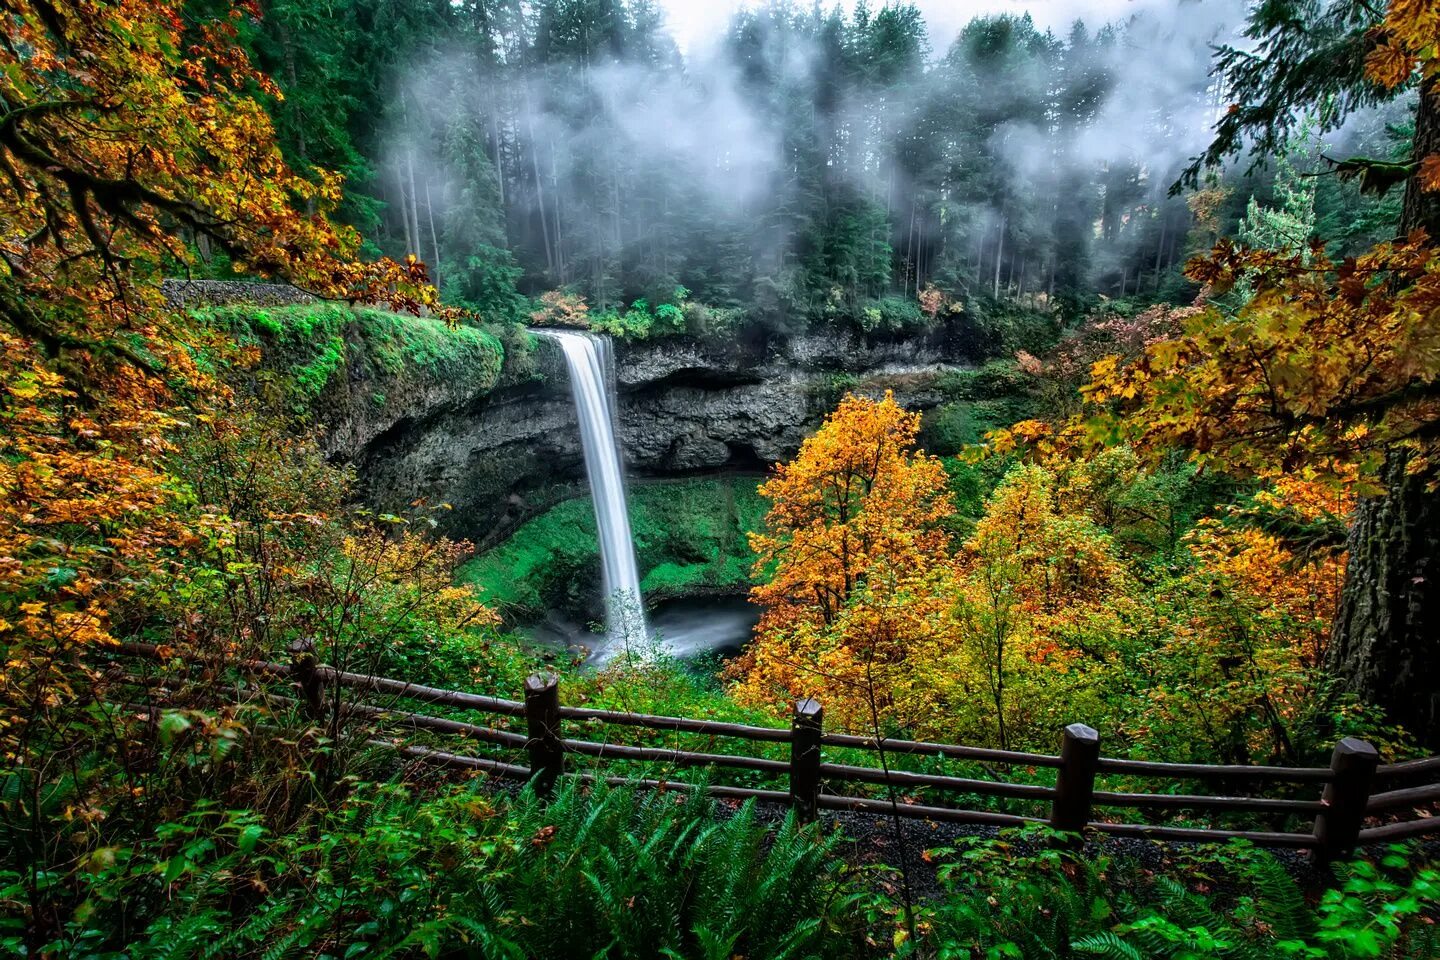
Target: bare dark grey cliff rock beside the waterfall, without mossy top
{"x":685,"y":408}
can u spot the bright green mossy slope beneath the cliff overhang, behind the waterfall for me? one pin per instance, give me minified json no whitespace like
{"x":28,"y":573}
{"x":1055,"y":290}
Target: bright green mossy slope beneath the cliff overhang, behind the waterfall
{"x":690,"y":539}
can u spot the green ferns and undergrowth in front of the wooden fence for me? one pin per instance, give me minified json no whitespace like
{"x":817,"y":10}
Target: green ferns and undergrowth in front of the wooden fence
{"x":251,"y":863}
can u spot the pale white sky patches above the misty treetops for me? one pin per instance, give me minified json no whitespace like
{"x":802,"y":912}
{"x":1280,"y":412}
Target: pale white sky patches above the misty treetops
{"x":696,"y":24}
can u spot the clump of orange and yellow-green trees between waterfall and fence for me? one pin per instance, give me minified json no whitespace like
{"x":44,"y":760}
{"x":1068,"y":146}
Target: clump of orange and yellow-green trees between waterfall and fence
{"x":870,"y":601}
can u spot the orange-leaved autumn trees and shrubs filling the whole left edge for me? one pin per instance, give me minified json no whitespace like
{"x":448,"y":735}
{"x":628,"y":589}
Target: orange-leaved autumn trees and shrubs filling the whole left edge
{"x":140,"y":496}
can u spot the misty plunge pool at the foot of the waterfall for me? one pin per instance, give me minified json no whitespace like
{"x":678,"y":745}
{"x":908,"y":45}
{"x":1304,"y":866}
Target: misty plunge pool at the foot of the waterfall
{"x":688,"y":630}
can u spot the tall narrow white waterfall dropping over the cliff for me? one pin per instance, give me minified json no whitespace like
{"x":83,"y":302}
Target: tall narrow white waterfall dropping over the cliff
{"x":593,"y":385}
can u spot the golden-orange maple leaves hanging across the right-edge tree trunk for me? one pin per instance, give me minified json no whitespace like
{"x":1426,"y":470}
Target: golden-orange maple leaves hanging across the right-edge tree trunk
{"x":1311,"y":375}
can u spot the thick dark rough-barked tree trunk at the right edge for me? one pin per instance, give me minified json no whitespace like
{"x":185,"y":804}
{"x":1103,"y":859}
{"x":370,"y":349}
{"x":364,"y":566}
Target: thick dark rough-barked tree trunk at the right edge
{"x":1387,"y":635}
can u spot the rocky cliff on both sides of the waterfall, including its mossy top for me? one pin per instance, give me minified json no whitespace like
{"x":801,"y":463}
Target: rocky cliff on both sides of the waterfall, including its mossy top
{"x":430,"y":414}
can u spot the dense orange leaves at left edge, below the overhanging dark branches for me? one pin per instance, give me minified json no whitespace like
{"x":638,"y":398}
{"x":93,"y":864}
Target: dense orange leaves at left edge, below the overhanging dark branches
{"x":84,"y":517}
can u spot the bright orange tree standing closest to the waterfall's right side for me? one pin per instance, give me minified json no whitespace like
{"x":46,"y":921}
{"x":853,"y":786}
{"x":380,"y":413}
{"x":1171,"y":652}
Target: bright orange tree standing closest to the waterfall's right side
{"x":858,"y":558}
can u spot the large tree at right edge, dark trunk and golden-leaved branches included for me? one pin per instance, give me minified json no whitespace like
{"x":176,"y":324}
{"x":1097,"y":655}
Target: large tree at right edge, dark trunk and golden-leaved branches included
{"x":1331,"y":371}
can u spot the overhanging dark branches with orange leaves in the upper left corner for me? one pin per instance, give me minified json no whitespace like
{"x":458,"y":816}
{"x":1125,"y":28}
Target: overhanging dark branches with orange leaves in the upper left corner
{"x":130,"y":126}
